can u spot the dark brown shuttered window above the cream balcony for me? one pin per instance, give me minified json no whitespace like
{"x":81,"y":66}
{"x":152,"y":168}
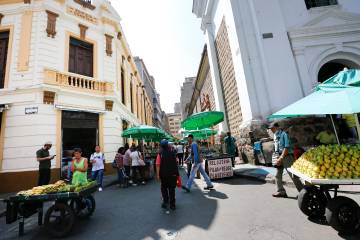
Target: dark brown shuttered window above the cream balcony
{"x":81,"y":57}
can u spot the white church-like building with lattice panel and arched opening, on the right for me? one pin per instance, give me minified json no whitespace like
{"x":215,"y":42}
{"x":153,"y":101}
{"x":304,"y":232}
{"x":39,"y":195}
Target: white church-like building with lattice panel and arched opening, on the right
{"x":266,"y":54}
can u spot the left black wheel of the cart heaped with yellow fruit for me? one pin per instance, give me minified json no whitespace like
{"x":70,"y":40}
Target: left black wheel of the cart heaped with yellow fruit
{"x":312,"y":201}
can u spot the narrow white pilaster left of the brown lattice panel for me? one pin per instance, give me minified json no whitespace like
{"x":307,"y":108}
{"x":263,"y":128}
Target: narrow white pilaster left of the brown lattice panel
{"x":215,"y":76}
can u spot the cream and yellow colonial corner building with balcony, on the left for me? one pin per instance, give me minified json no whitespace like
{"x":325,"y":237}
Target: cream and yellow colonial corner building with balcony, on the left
{"x":67,"y":76}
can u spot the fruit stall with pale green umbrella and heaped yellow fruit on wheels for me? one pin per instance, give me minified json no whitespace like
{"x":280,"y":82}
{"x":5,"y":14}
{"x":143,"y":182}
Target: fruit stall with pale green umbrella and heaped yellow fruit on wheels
{"x":325,"y":168}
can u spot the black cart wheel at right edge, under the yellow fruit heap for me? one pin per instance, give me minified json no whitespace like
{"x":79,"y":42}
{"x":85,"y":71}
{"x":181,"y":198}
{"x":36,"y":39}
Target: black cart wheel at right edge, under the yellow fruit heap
{"x":343,"y":214}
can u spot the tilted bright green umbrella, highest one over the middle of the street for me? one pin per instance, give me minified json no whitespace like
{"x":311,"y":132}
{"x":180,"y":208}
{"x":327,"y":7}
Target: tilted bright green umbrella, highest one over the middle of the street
{"x":202,"y":120}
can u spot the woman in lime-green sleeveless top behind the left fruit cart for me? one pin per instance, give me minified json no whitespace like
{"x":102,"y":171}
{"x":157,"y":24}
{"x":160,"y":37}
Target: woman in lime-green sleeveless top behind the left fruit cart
{"x":79,"y":168}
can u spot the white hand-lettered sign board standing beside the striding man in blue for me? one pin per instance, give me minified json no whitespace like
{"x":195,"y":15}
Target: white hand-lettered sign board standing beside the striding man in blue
{"x":220,"y":168}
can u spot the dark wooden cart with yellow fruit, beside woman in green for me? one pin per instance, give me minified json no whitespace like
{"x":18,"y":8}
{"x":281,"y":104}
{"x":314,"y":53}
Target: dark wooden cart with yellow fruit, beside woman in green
{"x":68,"y":203}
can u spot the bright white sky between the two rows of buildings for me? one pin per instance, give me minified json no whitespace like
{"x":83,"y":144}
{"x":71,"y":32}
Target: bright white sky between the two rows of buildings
{"x":167,"y":36}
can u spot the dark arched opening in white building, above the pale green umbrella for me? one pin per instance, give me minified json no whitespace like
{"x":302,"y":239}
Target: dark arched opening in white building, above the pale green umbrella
{"x":332,"y":68}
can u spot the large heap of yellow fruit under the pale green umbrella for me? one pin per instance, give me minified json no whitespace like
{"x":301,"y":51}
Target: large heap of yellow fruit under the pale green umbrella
{"x":330,"y":162}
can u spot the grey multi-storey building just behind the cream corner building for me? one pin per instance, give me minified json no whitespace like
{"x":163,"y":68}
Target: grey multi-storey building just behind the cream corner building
{"x":149,"y":87}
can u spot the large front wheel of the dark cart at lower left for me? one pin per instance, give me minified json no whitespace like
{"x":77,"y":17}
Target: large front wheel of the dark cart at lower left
{"x":59,"y":220}
